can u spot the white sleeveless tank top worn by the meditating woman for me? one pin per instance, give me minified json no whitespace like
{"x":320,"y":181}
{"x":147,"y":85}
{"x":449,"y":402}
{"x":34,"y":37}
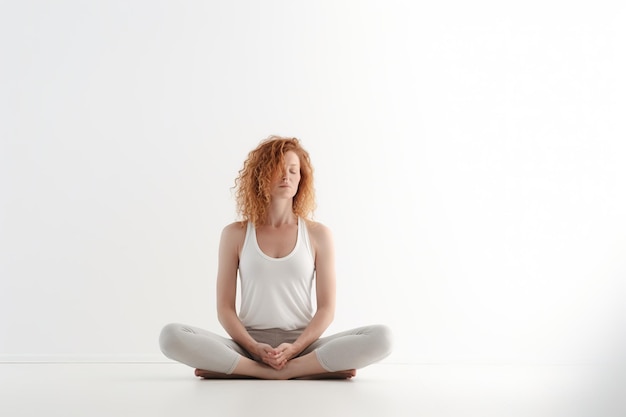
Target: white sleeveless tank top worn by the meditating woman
{"x":276,"y":292}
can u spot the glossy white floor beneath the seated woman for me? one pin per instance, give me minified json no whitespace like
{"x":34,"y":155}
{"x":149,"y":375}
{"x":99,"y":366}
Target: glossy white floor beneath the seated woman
{"x":93,"y":390}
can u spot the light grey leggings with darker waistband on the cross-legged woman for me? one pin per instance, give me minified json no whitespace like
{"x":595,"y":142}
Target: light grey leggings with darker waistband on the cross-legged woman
{"x":199,"y":348}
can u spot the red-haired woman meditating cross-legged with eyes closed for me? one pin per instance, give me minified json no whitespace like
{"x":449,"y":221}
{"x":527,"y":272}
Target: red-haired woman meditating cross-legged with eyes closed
{"x":278,"y":254}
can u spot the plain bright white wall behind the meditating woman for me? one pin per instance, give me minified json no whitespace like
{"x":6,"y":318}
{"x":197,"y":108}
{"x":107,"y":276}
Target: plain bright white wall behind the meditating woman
{"x":469,"y":158}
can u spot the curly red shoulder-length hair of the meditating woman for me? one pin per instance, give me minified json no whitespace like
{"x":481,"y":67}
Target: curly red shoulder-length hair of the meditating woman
{"x":255,"y":178}
